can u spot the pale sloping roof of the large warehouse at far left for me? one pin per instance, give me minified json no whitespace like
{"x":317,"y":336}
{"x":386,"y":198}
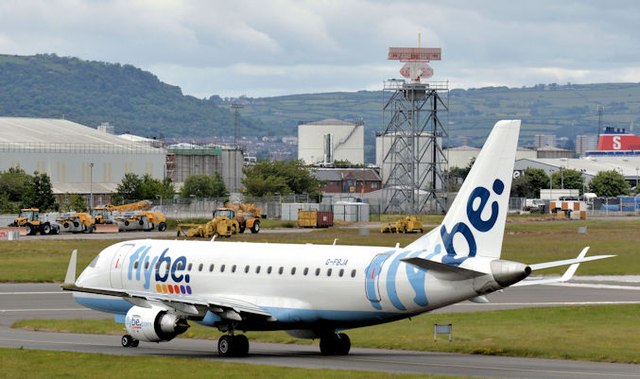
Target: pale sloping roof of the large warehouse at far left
{"x":60,"y":135}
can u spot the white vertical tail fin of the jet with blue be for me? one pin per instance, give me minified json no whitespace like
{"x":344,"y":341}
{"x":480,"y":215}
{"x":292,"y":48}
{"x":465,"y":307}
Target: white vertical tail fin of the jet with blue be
{"x":474,"y":225}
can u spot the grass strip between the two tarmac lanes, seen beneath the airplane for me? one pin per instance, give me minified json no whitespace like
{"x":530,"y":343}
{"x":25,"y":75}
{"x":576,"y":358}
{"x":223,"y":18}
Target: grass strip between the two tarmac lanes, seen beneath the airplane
{"x":593,"y":333}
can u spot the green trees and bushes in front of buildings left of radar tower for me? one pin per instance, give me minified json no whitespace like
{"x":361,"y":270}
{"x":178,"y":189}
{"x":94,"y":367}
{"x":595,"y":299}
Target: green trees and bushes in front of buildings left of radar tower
{"x":21,"y":190}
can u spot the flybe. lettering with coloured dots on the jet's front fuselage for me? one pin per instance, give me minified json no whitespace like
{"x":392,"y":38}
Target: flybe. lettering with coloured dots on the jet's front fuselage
{"x":166,"y":272}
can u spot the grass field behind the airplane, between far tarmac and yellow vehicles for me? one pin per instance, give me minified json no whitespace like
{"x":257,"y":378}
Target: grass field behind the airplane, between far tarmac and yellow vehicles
{"x":529,"y":242}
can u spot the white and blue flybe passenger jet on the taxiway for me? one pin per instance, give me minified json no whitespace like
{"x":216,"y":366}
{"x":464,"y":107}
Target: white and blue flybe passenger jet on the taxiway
{"x":156,"y":287}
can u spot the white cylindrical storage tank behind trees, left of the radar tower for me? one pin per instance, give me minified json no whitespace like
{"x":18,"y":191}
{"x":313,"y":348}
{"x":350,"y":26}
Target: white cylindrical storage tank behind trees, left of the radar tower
{"x":330,"y":140}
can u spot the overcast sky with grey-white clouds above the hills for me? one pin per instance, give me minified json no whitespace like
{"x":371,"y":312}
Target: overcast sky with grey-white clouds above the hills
{"x":268,"y":48}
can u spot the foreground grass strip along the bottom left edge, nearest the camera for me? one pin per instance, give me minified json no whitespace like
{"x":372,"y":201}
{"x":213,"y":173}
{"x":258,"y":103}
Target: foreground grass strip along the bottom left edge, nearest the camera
{"x":17,"y":363}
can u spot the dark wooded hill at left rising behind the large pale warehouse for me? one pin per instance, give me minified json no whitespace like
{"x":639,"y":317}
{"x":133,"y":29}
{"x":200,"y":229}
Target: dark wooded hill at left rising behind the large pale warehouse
{"x":94,"y":92}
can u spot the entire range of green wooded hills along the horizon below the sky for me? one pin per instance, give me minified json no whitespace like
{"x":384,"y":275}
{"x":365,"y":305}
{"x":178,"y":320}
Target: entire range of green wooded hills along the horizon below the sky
{"x":137,"y":101}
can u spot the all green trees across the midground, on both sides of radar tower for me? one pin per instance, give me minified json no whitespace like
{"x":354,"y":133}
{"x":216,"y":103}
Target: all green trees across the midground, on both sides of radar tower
{"x":265,"y":178}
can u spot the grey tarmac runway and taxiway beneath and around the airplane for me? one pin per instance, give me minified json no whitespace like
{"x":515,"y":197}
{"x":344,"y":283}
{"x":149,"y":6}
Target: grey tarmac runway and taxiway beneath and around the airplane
{"x":28,"y":301}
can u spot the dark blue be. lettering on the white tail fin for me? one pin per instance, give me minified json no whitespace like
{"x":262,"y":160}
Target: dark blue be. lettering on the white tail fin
{"x":478,"y":200}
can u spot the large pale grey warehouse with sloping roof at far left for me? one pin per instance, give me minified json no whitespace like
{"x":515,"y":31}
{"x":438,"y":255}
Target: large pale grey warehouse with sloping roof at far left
{"x":77,"y":158}
